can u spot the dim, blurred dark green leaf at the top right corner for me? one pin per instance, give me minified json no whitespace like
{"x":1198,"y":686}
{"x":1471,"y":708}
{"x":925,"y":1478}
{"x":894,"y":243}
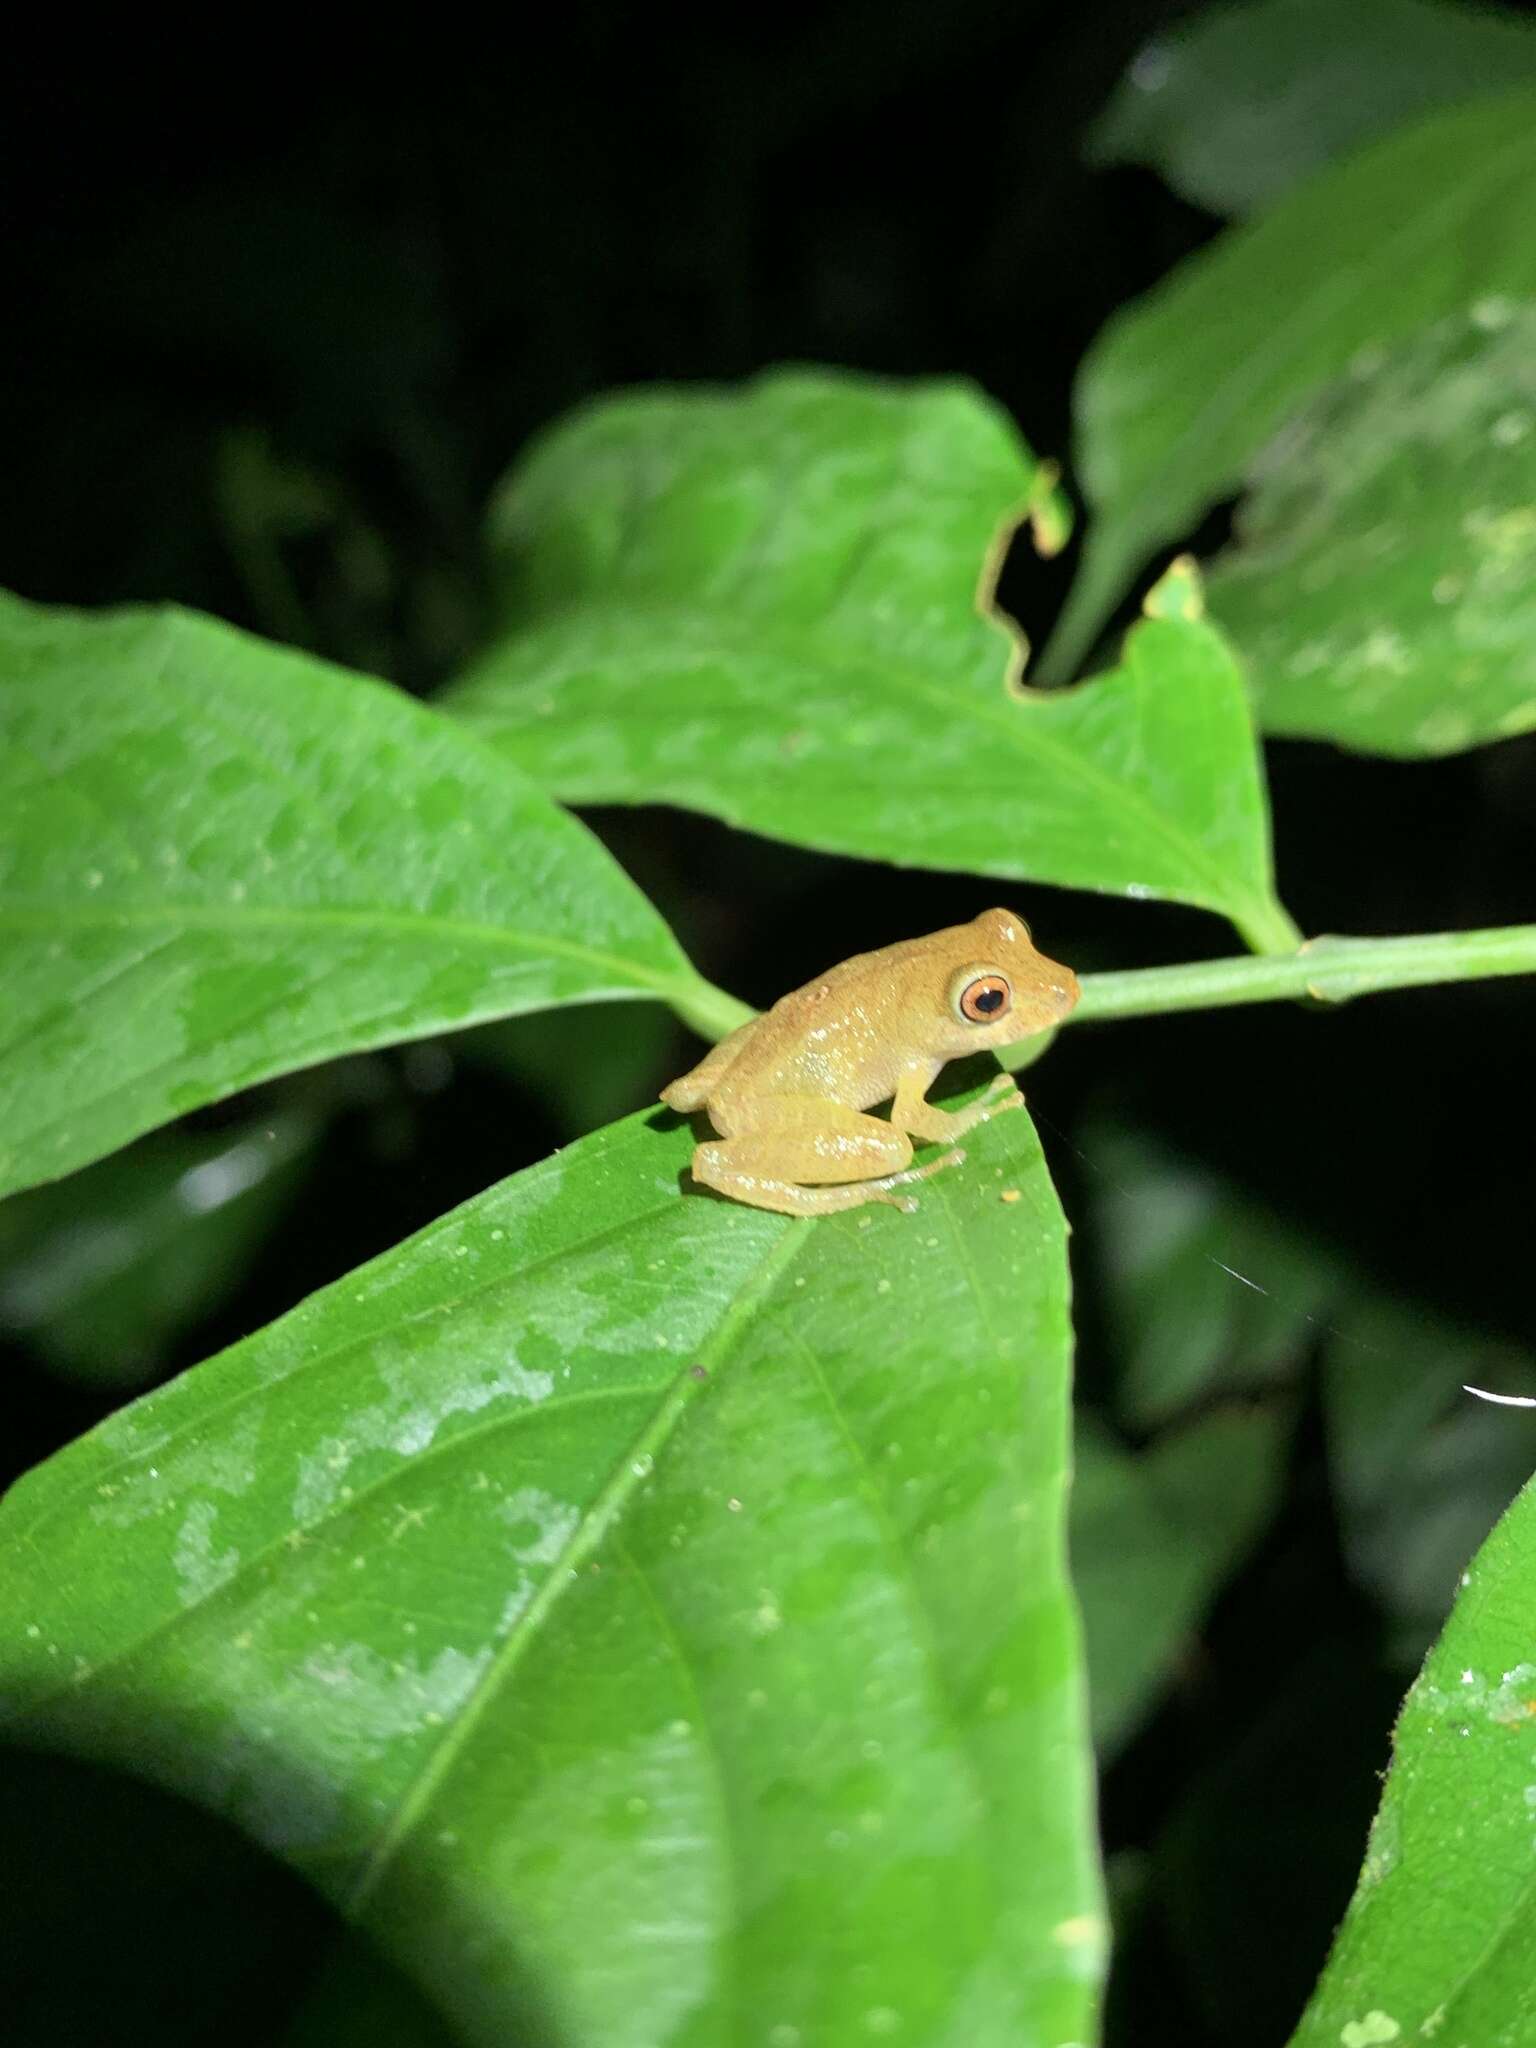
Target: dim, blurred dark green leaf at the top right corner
{"x":1244,"y":101}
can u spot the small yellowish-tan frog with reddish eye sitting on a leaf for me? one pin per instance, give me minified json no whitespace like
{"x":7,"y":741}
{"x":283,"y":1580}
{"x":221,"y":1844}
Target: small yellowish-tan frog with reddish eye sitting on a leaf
{"x":787,"y":1091}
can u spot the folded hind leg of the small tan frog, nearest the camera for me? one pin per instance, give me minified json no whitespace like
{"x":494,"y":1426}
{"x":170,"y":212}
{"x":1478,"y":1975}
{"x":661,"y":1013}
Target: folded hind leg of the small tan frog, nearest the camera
{"x":818,"y":1144}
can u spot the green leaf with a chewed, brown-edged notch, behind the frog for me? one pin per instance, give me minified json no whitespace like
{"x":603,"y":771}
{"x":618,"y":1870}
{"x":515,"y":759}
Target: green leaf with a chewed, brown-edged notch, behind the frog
{"x":763,"y":605}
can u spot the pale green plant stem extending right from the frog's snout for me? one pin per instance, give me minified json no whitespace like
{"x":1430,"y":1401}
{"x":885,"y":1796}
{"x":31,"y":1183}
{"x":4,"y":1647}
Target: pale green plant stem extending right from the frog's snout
{"x":1328,"y":970}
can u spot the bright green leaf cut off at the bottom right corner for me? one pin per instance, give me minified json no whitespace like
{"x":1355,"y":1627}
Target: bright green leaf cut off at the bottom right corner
{"x":1439,"y":1940}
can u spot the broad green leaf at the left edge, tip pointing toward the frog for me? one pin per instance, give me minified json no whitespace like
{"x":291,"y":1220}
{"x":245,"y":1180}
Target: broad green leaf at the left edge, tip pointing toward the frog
{"x":224,"y":861}
